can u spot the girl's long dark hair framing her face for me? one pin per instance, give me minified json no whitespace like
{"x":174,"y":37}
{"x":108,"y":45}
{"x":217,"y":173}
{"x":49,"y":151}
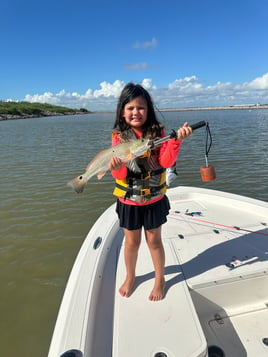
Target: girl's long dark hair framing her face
{"x":152,"y":127}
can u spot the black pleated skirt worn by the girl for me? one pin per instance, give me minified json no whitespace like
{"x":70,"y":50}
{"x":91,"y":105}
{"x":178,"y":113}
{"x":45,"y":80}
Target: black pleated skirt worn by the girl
{"x":148,"y":216}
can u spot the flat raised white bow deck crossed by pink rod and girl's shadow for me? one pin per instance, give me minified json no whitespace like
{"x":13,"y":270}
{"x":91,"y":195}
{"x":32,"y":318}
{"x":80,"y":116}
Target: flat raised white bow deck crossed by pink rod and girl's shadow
{"x":210,"y":240}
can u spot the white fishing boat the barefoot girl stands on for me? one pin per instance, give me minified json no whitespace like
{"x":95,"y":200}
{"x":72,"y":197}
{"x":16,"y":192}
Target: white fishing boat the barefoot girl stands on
{"x":216,"y":297}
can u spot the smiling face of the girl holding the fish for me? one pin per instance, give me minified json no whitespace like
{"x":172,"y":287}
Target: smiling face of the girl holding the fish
{"x":135,"y":113}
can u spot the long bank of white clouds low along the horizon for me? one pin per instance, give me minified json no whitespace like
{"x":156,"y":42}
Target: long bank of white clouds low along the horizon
{"x":182,"y":92}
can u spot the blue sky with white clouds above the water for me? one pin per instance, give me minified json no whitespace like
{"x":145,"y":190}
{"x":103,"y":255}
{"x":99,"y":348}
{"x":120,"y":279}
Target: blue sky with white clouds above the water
{"x":186,"y":53}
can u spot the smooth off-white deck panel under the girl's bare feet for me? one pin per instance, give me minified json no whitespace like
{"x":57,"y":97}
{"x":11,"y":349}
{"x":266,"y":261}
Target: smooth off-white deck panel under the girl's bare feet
{"x":144,"y":328}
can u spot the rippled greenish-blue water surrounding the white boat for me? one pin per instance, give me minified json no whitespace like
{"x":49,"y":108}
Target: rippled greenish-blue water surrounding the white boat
{"x":43,"y":222}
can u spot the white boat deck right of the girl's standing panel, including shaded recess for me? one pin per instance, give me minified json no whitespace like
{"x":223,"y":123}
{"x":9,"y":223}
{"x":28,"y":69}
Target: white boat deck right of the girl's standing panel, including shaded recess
{"x":226,"y":269}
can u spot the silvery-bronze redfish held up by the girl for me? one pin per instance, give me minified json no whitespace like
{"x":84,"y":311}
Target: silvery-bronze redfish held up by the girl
{"x":100,"y":164}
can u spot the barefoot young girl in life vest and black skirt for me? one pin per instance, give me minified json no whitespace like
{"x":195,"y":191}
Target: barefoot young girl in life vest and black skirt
{"x":140,"y":184}
